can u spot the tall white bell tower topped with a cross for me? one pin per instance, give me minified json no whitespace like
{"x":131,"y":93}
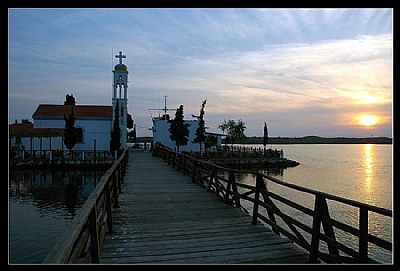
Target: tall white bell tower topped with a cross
{"x":120,"y":94}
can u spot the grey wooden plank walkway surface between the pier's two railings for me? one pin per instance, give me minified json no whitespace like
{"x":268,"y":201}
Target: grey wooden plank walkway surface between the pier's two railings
{"x":165,"y":218}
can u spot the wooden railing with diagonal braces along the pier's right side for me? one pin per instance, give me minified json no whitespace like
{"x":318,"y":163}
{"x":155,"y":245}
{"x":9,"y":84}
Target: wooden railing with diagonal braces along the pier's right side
{"x":222,"y":182}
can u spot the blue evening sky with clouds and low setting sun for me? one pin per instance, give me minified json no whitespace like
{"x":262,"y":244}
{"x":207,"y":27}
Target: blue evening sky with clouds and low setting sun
{"x":323,"y":72}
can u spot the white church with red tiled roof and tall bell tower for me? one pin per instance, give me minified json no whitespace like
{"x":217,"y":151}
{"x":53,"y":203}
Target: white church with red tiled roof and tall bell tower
{"x":93,"y":123}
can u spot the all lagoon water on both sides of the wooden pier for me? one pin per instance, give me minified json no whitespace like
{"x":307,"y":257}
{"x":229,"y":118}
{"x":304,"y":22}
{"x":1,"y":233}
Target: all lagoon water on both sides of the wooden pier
{"x":41,"y":204}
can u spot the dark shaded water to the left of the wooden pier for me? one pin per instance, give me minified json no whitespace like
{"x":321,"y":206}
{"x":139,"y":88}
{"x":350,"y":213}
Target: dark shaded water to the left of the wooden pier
{"x":41,"y":204}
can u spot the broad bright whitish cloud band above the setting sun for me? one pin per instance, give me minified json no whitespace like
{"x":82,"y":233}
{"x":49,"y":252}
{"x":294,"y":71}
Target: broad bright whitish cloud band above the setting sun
{"x":303,"y":71}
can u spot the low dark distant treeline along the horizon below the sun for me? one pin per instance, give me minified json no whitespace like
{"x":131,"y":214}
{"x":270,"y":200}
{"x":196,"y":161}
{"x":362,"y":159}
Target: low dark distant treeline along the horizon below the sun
{"x":306,"y":140}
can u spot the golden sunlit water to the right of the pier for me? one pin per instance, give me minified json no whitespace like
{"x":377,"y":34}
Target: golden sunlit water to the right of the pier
{"x":361,"y":172}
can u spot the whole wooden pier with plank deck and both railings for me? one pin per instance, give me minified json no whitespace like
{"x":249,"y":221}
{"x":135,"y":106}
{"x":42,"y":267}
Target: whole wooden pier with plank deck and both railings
{"x":163,"y":207}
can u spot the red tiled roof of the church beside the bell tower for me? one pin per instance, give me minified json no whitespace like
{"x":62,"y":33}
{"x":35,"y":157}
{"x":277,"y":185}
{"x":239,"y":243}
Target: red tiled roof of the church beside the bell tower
{"x":80,"y":111}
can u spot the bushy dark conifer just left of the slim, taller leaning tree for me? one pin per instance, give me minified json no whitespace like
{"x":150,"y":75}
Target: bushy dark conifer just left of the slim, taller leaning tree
{"x":179,"y":129}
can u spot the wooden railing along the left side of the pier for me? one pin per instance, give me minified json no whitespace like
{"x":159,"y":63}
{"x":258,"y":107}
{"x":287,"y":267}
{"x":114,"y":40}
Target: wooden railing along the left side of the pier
{"x":83,"y":240}
